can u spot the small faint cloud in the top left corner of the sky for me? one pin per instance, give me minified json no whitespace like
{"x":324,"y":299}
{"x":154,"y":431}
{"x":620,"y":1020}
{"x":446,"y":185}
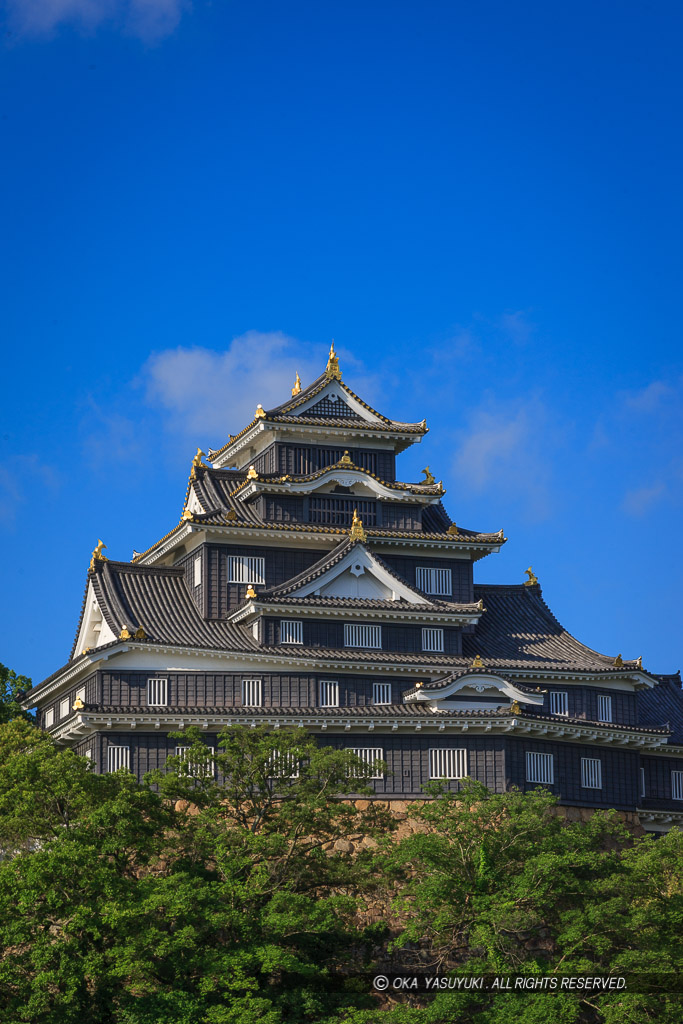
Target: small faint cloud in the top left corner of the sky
{"x":148,"y":20}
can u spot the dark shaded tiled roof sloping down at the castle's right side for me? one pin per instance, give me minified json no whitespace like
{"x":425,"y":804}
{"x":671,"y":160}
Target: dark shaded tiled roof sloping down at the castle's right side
{"x":521,"y":627}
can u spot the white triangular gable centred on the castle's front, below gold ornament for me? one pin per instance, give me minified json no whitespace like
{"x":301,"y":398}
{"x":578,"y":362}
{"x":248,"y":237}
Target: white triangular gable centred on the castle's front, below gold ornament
{"x":359,"y":575}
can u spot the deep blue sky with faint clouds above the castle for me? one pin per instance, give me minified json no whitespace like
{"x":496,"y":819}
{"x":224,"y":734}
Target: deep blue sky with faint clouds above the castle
{"x":481,"y":203}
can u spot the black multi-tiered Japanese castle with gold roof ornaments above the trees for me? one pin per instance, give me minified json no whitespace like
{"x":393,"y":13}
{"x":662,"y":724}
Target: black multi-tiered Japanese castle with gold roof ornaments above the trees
{"x":307,"y":585}
